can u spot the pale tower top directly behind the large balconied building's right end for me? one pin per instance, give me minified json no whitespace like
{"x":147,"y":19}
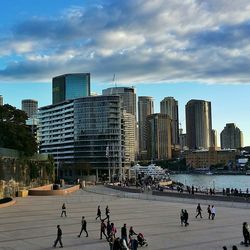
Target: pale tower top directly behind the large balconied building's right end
{"x":128,"y":96}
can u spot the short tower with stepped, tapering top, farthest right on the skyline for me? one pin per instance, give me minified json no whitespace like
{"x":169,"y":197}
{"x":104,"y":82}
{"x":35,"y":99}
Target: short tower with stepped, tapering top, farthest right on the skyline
{"x":231,"y":137}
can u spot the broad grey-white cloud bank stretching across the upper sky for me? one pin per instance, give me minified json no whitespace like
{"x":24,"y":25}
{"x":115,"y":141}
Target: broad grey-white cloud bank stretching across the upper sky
{"x":140,"y":41}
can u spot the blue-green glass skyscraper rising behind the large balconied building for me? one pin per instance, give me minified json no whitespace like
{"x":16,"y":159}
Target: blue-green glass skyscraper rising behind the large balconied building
{"x":70,"y":86}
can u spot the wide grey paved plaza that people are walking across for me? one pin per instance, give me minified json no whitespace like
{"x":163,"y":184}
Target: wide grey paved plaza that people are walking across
{"x":31,"y":223}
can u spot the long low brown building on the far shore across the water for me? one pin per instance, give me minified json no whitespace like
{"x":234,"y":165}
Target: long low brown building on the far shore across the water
{"x":209,"y":157}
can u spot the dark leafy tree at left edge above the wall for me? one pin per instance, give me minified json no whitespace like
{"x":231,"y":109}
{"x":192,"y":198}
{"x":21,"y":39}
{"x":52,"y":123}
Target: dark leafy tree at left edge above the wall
{"x":14,"y":133}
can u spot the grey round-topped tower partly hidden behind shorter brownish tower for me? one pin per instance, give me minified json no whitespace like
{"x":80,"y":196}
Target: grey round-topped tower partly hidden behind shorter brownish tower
{"x":169,"y":106}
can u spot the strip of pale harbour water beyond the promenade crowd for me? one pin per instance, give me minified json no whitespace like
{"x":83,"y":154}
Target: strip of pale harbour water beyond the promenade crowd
{"x":214,"y":181}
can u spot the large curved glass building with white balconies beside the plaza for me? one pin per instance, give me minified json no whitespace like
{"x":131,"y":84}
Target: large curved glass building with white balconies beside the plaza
{"x":84,"y":135}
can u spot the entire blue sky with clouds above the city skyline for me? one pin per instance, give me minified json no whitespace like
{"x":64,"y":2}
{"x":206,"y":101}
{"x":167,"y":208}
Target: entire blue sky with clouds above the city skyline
{"x":186,"y":49}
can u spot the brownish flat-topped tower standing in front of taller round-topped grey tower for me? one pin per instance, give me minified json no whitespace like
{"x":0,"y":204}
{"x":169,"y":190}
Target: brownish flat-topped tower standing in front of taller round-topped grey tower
{"x":159,"y":137}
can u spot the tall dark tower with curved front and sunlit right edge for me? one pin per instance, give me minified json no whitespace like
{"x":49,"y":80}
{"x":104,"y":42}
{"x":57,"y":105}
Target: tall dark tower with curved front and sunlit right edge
{"x":198,"y":124}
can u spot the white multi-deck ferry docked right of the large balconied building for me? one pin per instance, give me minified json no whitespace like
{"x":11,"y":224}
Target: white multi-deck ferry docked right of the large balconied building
{"x":150,"y":170}
